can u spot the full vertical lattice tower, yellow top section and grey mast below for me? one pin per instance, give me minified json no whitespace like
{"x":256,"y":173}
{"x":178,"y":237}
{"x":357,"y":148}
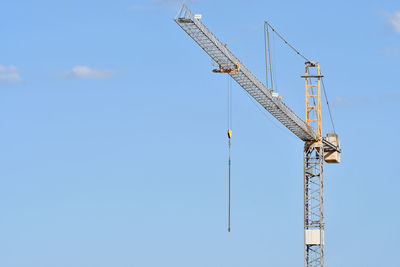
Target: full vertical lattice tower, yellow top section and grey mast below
{"x":313,"y":172}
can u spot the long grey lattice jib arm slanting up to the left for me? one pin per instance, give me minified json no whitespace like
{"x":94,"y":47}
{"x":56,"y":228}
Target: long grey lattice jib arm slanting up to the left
{"x":226,"y":60}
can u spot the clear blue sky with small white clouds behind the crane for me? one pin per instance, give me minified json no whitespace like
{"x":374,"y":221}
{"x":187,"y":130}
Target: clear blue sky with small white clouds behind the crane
{"x":113,"y":135}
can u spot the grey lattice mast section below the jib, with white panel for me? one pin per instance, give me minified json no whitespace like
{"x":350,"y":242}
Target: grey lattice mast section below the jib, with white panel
{"x":313,"y":205}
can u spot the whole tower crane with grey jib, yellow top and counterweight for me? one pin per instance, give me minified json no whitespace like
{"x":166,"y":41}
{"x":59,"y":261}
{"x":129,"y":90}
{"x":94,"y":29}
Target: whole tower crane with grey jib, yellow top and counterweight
{"x":317,"y":148}
